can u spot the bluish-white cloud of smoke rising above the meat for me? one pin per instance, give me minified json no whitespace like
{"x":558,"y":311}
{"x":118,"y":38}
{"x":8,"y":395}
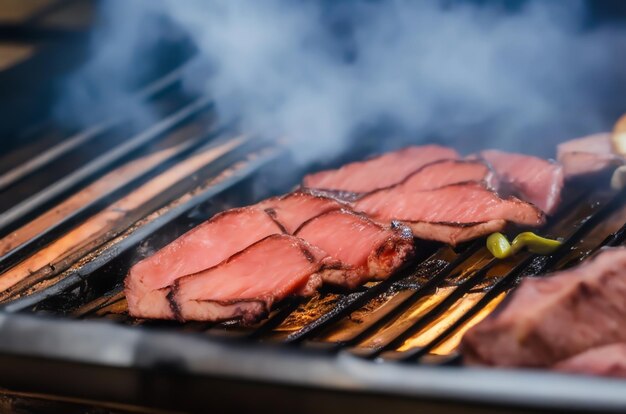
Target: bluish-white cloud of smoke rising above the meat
{"x":328,"y":76}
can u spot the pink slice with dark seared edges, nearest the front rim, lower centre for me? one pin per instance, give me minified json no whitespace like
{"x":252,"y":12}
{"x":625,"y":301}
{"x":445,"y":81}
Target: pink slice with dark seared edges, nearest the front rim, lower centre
{"x":247,"y":284}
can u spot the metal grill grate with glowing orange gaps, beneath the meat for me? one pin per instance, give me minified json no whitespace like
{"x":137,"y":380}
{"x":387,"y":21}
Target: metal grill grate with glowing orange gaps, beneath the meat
{"x":418,"y":314}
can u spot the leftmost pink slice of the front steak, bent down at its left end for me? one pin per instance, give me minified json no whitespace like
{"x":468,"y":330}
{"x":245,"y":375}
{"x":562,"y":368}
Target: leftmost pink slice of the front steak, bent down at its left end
{"x":148,"y":282}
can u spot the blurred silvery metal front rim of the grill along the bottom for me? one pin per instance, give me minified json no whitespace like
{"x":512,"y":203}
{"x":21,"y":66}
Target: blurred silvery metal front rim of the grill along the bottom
{"x":89,"y":350}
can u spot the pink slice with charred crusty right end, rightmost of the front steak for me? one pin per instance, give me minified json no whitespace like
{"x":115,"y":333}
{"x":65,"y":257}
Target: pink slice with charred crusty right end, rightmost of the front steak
{"x":363,"y":250}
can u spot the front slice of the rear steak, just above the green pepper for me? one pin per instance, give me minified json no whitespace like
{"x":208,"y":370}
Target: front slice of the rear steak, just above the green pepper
{"x":450,"y":214}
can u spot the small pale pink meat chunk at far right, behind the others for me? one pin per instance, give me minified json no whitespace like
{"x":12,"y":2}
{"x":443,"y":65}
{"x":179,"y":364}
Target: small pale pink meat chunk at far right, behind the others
{"x":588,"y":155}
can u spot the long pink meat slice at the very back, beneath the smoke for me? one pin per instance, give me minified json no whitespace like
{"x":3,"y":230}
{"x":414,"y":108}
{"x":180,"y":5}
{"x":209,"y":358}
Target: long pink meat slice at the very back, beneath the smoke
{"x":379,"y":172}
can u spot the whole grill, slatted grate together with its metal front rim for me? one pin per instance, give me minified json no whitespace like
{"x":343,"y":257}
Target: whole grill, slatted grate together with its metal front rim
{"x":89,"y":203}
